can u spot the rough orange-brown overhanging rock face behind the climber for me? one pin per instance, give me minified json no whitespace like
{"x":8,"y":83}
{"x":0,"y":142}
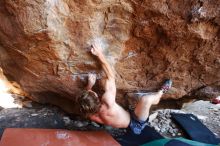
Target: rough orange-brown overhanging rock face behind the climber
{"x":43,"y":44}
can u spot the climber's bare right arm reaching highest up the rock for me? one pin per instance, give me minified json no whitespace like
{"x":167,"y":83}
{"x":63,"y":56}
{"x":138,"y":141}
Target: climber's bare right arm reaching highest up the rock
{"x":110,"y":89}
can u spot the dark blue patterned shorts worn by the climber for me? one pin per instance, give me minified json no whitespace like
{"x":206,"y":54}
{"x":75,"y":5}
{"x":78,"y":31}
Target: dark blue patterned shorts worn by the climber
{"x":136,"y":126}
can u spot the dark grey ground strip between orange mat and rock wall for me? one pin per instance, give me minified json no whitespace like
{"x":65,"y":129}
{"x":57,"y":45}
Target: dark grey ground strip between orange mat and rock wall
{"x":47,"y":116}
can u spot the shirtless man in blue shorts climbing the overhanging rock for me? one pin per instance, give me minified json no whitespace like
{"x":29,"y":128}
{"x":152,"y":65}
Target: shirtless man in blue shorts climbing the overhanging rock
{"x":106,"y":111}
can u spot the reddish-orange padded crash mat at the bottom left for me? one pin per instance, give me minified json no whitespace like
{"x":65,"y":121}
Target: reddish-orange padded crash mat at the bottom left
{"x":49,"y":137}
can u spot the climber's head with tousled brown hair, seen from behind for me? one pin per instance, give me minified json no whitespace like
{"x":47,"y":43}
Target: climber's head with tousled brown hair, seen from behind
{"x":89,"y":103}
